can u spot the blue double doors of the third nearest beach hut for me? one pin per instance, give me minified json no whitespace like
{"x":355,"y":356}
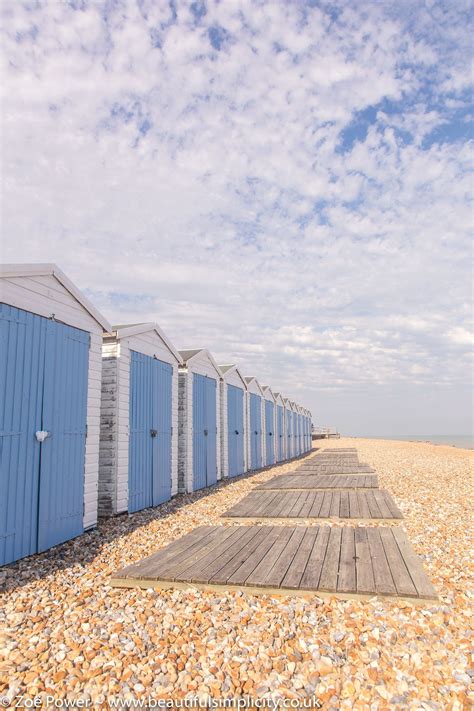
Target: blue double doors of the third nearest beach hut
{"x":204,"y":431}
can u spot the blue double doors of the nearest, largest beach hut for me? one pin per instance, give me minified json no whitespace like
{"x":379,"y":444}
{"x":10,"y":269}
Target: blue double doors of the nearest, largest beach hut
{"x":43,"y":388}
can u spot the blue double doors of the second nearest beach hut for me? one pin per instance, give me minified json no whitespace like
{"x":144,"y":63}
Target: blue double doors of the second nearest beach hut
{"x":149,"y":467}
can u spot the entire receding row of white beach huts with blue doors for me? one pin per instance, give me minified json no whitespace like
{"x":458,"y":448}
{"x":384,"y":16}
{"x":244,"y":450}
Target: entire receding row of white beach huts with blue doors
{"x":98,"y":419}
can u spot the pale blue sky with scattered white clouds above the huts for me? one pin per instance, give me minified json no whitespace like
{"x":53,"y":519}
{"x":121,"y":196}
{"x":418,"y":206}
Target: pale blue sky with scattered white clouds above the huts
{"x":285,"y":183}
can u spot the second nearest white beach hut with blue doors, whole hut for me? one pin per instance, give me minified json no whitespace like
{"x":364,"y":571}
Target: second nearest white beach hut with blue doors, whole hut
{"x":138,"y":463}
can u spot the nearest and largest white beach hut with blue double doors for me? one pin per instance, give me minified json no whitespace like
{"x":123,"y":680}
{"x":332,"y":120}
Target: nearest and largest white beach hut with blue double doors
{"x":50,"y":375}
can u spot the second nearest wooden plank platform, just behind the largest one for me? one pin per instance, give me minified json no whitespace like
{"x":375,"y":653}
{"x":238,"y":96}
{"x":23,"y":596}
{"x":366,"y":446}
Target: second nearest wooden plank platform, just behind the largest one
{"x":356,"y":504}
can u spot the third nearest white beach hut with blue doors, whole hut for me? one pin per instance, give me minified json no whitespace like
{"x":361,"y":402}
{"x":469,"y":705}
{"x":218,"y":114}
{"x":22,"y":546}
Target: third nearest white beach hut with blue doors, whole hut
{"x":199,"y":444}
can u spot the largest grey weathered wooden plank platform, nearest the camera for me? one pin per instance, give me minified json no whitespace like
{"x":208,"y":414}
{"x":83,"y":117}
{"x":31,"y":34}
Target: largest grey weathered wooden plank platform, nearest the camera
{"x":345,"y":562}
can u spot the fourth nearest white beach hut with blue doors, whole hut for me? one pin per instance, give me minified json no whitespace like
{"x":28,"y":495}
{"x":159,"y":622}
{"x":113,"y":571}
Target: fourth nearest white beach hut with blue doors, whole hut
{"x":233,"y":421}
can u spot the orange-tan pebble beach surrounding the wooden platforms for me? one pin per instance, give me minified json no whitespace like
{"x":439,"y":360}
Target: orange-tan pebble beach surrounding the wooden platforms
{"x":65,"y":632}
